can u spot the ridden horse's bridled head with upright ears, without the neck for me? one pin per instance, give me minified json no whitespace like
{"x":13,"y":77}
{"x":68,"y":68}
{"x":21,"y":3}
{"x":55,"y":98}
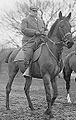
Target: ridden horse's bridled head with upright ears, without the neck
{"x":64,"y":30}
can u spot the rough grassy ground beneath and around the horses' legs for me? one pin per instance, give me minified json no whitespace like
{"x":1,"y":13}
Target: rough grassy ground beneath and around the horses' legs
{"x":19,"y":105}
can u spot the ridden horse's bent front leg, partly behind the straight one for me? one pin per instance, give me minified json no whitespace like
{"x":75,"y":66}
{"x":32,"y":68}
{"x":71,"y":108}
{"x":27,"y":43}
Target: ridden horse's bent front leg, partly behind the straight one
{"x":55,"y":90}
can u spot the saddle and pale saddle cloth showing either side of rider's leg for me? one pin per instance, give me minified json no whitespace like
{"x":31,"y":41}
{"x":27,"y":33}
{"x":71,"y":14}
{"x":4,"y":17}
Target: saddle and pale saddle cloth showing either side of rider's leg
{"x":20,"y":54}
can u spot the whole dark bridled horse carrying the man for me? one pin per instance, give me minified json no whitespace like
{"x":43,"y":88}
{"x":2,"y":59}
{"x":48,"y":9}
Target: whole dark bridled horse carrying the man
{"x":47,"y":66}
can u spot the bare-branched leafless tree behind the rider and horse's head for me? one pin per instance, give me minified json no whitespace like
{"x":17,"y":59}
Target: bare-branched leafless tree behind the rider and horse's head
{"x":11,"y":21}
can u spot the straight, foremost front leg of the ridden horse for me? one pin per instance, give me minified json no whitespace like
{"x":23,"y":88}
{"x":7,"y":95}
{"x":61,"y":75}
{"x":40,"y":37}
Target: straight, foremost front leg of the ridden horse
{"x":46,"y":80}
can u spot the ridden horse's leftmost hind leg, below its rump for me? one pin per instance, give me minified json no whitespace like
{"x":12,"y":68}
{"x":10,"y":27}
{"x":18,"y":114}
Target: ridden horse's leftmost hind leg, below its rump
{"x":13,"y":69}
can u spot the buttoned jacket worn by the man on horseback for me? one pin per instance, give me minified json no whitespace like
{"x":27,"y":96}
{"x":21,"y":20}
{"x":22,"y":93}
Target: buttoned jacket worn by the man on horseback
{"x":29,"y":26}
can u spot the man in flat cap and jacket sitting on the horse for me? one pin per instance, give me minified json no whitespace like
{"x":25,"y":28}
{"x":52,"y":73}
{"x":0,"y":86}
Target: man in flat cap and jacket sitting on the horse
{"x":31,"y":27}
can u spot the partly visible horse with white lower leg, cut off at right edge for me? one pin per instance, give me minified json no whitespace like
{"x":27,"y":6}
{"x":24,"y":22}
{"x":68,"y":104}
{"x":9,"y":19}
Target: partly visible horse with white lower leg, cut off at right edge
{"x":69,"y":67}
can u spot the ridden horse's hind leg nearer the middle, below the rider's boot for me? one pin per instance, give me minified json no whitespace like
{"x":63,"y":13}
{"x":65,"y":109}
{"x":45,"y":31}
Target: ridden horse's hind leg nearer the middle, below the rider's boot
{"x":26,"y":89}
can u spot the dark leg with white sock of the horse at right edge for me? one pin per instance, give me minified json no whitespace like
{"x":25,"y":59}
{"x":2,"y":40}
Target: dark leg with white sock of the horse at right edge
{"x":67,"y":74}
